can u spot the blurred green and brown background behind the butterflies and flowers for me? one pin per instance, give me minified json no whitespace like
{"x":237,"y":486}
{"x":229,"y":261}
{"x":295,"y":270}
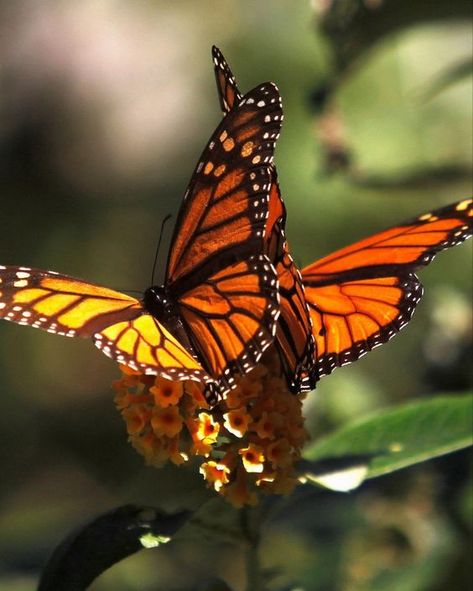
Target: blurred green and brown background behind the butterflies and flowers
{"x":105,"y":107}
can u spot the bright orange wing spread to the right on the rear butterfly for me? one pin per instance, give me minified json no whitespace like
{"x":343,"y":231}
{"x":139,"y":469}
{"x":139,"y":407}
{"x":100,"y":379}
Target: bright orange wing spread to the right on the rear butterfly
{"x":362,"y":295}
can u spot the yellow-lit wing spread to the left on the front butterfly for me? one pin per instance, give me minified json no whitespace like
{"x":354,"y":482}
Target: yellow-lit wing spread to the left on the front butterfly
{"x":116,"y":322}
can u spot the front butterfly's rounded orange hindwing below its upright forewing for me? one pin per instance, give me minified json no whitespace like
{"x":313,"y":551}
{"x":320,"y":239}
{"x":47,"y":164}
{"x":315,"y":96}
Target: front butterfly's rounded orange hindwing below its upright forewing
{"x":231,"y":317}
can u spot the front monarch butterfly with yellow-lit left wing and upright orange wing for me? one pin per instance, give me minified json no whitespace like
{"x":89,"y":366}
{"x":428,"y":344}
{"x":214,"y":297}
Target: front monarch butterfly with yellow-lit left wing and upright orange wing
{"x":216,"y":312}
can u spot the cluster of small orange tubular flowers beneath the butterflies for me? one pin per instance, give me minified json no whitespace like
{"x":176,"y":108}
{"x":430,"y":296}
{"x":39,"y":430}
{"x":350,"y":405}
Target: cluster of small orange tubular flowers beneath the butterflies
{"x":249,"y":441}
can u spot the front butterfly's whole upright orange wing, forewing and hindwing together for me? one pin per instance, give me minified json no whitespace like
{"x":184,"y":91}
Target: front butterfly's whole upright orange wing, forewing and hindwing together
{"x":219,"y":228}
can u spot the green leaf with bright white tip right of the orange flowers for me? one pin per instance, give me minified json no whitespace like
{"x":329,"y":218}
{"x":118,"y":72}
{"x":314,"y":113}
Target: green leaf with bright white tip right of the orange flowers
{"x":390,"y":440}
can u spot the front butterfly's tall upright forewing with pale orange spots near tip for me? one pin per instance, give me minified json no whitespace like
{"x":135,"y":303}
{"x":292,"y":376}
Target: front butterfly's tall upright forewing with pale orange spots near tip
{"x":225,"y":208}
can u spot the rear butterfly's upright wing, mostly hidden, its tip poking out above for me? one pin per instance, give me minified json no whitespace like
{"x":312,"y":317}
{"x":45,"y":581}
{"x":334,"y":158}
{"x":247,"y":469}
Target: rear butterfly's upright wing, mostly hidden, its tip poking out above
{"x":294,"y":336}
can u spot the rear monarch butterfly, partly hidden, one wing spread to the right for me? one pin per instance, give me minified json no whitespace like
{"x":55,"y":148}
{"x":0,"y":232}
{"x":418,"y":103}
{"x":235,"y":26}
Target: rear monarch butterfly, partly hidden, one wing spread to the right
{"x":357,"y":298}
